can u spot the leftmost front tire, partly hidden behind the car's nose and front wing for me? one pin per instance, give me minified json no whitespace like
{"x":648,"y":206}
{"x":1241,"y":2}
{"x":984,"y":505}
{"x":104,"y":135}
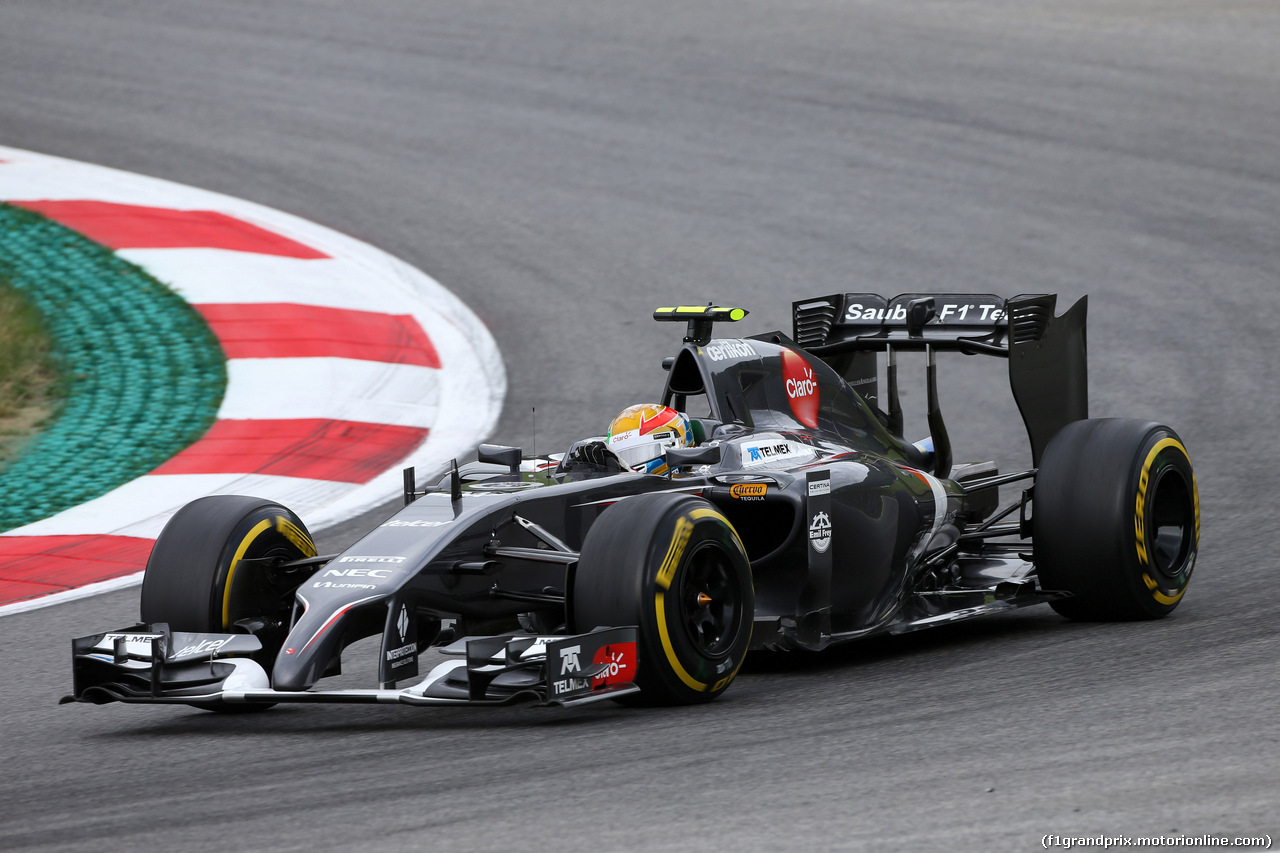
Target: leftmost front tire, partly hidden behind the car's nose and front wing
{"x":207,"y":572}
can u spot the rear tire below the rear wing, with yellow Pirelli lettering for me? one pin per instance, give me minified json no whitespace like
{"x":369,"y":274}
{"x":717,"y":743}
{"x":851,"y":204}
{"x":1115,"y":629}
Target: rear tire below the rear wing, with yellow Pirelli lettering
{"x":1117,"y":519}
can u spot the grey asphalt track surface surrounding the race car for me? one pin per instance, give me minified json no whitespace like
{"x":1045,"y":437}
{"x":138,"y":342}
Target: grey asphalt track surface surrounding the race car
{"x":566,"y":167}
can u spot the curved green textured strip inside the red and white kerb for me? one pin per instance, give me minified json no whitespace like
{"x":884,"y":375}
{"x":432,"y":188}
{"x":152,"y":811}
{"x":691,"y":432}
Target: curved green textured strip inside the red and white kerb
{"x":144,"y":373}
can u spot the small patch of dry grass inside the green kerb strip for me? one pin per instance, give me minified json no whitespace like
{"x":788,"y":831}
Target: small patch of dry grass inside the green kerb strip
{"x":30,"y":381}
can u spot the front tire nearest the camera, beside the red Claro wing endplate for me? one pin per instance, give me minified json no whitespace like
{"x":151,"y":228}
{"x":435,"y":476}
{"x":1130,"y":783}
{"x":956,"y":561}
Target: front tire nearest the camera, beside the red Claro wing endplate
{"x":674,"y":567}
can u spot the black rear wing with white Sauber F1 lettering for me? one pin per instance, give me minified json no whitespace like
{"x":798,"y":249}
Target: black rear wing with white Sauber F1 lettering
{"x":1048,"y":354}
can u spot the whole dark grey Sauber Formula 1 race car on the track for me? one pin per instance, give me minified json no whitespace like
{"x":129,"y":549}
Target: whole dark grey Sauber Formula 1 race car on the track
{"x":793,"y":518}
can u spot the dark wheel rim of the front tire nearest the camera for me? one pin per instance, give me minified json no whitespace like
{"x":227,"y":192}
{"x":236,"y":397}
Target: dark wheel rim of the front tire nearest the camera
{"x":711,"y":601}
